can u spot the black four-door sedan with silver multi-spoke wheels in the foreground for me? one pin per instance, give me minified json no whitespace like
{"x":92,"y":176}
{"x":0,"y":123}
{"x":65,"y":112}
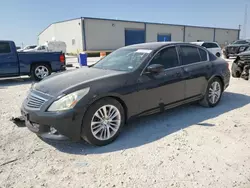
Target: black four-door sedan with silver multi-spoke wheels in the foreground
{"x":94,"y":103}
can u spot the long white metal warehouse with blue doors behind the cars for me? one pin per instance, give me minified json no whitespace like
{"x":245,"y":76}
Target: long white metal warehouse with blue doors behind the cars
{"x":96,"y":34}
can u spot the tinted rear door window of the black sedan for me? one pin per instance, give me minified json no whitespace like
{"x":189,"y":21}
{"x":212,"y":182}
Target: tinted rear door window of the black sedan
{"x":189,"y":55}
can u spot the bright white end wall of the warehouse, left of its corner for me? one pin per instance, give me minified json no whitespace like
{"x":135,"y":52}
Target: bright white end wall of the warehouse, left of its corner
{"x":69,"y":31}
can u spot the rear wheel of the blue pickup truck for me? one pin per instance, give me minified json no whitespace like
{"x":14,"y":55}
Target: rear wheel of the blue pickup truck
{"x":44,"y":68}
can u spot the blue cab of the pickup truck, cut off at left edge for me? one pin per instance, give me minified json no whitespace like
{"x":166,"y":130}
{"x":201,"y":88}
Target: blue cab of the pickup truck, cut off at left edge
{"x":8,"y":60}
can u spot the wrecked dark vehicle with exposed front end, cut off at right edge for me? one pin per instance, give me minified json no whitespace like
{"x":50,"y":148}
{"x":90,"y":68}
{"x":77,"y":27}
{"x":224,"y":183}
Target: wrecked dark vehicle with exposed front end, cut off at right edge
{"x":241,"y":65}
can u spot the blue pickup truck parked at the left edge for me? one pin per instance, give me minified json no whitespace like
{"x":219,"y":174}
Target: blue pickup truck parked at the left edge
{"x":38,"y":65}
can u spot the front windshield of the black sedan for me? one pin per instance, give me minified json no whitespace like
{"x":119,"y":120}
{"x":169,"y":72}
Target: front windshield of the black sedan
{"x":124,"y":59}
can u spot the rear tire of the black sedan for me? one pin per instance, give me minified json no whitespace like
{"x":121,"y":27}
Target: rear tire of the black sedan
{"x":206,"y":101}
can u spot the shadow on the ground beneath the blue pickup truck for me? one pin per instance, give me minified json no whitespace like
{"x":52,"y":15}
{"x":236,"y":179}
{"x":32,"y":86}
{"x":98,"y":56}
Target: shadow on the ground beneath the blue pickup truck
{"x":7,"y":82}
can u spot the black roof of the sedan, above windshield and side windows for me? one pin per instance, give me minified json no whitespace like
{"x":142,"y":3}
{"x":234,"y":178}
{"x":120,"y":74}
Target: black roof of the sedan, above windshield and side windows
{"x":152,"y":45}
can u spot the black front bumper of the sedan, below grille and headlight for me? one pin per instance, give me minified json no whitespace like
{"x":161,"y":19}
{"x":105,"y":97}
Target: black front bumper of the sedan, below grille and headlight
{"x":68,"y":124}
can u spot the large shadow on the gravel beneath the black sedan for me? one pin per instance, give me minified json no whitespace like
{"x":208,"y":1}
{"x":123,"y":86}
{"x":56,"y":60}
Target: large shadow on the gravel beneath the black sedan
{"x":152,"y":128}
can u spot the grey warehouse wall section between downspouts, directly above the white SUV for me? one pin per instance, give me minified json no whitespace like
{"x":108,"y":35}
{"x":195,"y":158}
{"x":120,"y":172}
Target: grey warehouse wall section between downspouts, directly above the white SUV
{"x":192,"y":34}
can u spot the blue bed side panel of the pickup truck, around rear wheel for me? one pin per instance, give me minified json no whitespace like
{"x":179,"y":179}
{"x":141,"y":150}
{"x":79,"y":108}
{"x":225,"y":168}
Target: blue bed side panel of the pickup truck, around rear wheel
{"x":26,"y":59}
